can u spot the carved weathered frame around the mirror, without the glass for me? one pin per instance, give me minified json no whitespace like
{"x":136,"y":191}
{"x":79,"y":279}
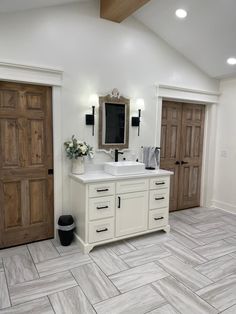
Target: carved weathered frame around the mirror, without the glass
{"x":114,"y":100}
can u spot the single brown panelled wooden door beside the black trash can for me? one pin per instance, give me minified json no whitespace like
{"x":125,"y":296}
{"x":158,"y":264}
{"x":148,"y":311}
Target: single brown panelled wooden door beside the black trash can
{"x":26,"y":164}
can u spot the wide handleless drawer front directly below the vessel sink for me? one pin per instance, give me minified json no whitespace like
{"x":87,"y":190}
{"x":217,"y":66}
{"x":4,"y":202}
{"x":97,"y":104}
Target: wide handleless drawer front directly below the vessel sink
{"x":128,"y":186}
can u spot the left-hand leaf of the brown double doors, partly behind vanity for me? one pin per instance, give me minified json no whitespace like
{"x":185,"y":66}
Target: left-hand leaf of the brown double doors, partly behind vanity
{"x":170,"y":146}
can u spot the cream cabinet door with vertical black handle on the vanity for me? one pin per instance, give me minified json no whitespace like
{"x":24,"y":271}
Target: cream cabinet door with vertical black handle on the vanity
{"x":131,"y":213}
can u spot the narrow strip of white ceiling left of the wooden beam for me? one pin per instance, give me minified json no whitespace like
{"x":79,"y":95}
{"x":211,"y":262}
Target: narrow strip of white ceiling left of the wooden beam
{"x":19,"y":5}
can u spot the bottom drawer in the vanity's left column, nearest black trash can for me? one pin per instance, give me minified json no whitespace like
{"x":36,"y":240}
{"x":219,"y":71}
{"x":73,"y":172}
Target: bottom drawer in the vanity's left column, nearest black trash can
{"x":101,"y":230}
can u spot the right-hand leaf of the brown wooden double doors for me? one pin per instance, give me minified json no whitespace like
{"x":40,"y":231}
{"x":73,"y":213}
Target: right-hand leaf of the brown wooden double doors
{"x":192,"y":130}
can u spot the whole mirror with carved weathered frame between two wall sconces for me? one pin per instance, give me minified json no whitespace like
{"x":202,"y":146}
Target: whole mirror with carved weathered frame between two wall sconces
{"x":113,"y":122}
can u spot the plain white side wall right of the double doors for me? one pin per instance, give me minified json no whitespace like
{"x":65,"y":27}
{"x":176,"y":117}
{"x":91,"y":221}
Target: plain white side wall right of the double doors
{"x":225,"y":166}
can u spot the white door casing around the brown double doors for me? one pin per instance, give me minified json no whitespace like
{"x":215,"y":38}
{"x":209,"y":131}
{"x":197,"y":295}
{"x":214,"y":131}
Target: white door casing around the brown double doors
{"x":210,"y":99}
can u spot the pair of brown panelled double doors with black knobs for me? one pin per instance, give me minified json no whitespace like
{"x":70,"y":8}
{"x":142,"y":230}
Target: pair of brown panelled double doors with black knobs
{"x":181,"y":151}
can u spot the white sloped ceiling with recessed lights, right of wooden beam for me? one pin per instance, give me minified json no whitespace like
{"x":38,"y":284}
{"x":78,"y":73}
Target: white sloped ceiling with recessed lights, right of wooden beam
{"x":207,"y":36}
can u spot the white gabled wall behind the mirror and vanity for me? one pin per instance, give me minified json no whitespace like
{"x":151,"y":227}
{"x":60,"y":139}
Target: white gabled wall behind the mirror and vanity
{"x":96,"y":56}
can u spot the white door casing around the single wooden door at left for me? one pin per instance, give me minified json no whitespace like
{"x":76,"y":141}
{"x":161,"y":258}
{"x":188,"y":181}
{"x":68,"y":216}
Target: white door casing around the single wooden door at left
{"x":50,"y":77}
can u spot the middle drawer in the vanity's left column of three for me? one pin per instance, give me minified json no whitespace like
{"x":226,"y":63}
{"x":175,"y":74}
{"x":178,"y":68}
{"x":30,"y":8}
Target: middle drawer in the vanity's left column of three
{"x":101,"y":207}
